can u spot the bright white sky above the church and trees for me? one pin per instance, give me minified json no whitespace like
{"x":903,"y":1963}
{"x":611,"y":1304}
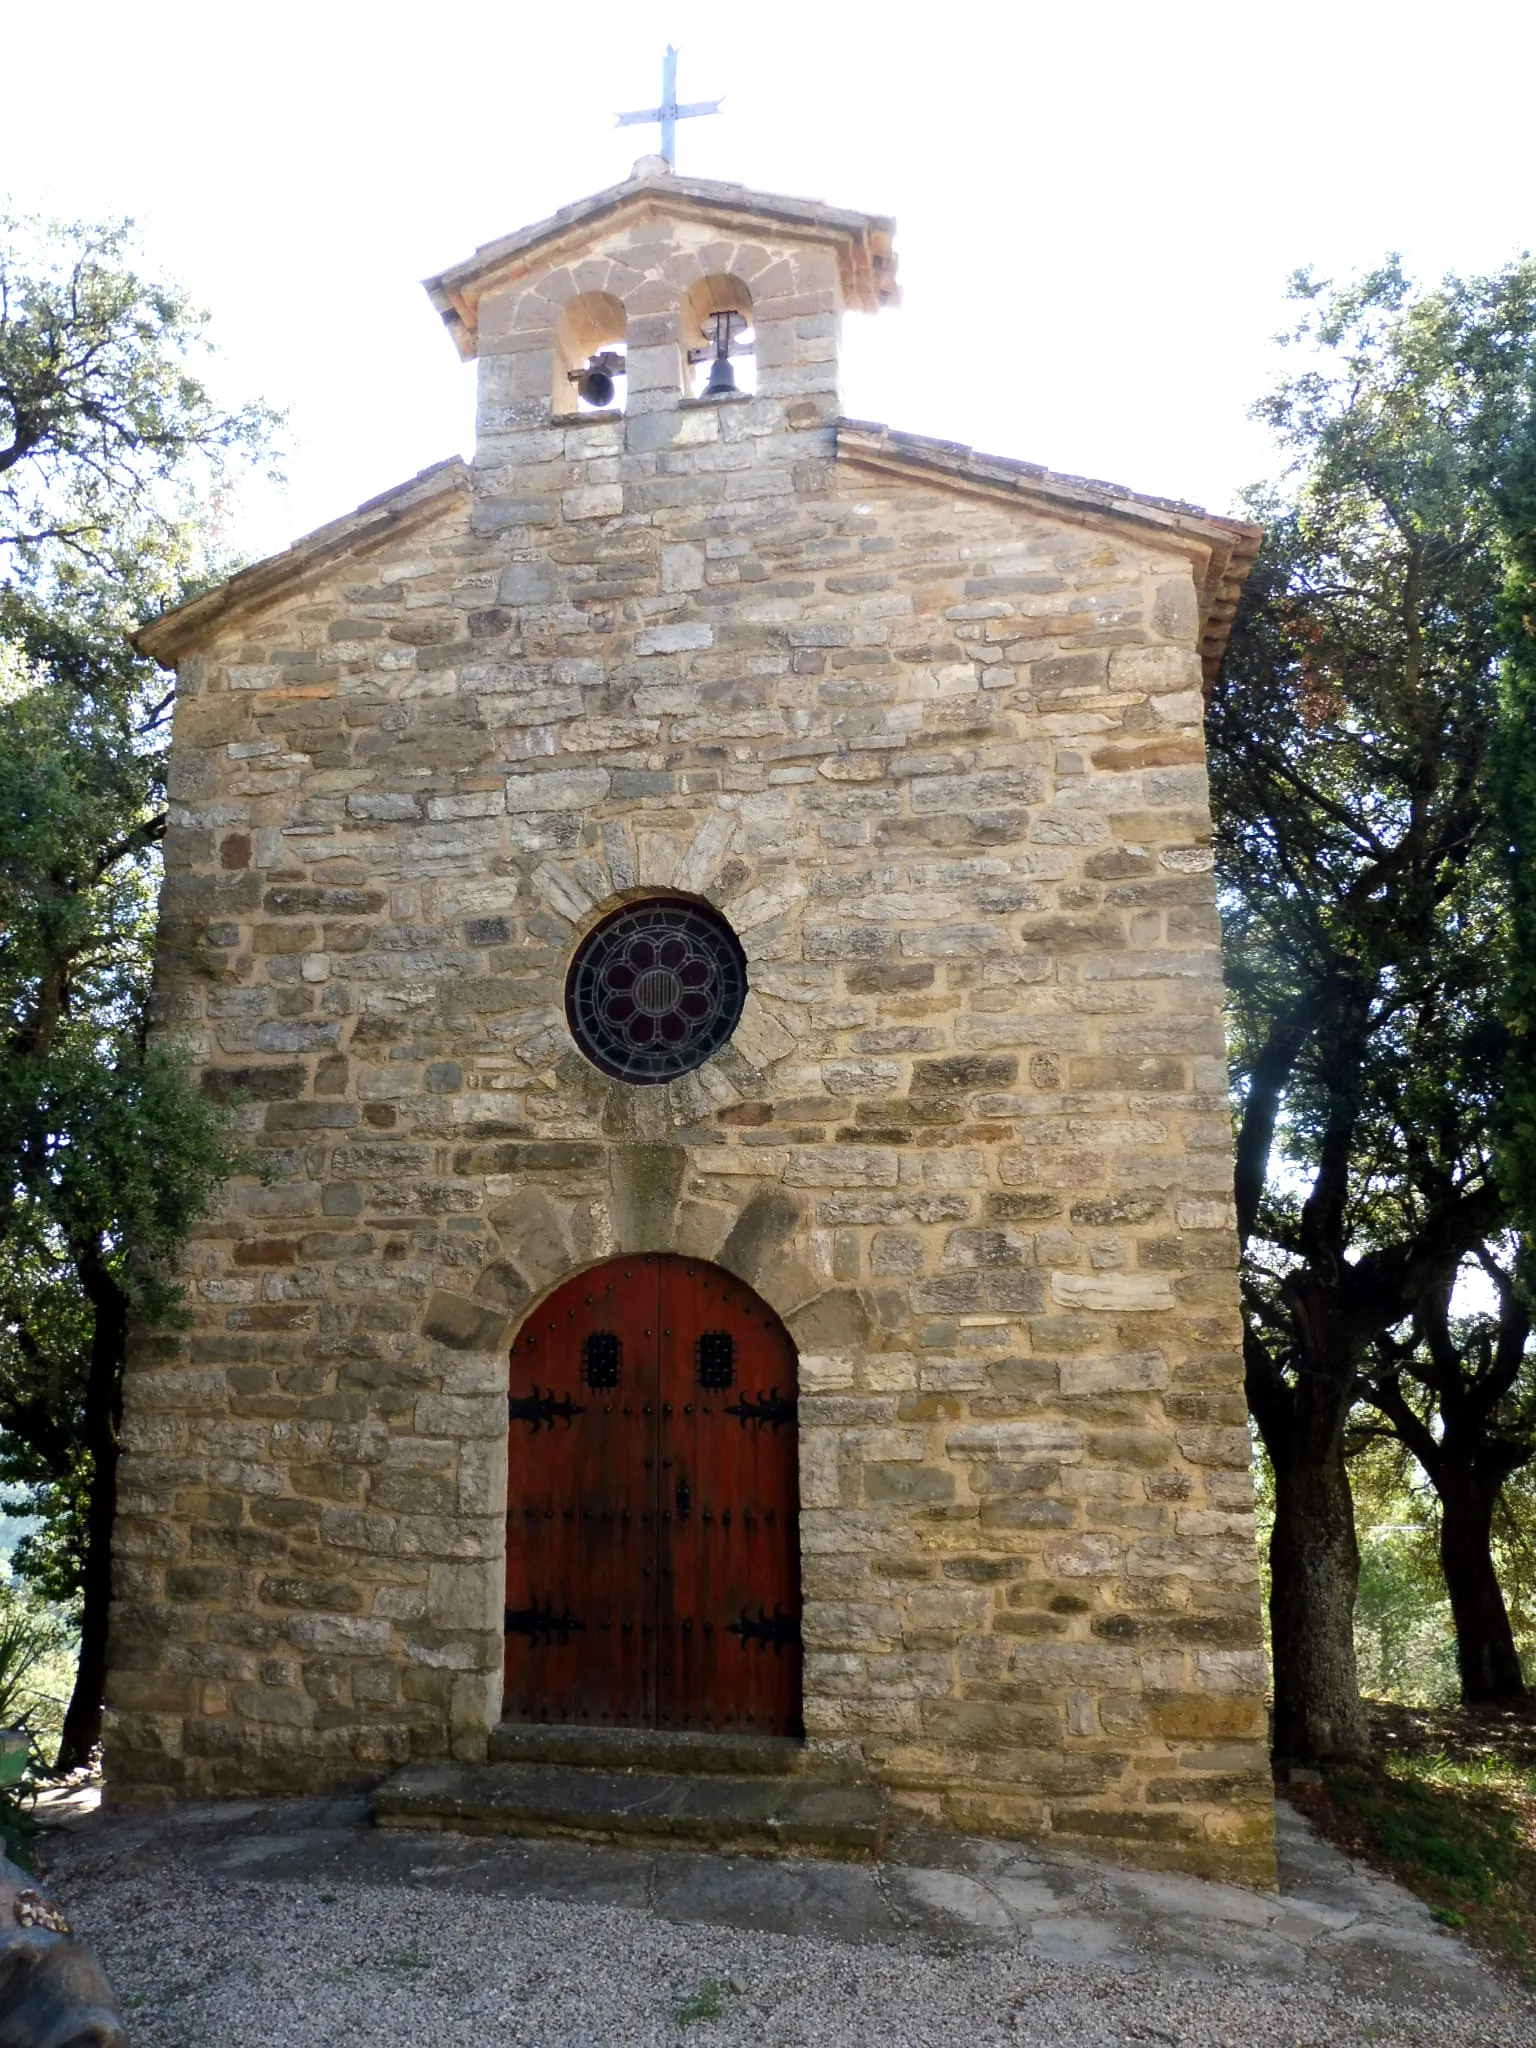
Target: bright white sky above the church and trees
{"x":1097,"y":208}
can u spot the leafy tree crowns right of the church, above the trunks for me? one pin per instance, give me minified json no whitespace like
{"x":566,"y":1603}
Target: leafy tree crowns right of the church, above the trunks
{"x":1363,"y":888}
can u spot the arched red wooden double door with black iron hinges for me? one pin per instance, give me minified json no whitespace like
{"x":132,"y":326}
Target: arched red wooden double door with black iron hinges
{"x":652,"y":1531}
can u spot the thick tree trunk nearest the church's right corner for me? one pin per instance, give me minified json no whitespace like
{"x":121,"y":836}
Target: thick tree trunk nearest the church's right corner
{"x":1314,"y":1576}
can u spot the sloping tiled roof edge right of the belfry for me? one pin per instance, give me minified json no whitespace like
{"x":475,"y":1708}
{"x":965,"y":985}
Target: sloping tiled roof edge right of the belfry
{"x":1224,"y":550}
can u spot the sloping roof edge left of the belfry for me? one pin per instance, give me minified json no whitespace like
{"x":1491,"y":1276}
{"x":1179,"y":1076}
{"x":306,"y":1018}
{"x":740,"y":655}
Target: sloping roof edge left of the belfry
{"x":368,"y":527}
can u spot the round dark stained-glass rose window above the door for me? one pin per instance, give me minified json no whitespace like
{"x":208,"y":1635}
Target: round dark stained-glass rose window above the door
{"x":656,"y":990}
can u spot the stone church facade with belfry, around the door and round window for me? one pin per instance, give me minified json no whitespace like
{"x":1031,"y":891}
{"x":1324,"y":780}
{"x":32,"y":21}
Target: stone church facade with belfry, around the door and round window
{"x":923,"y":728}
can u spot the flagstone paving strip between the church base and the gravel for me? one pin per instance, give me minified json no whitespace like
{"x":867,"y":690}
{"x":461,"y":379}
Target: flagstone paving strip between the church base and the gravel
{"x":1334,"y":1926}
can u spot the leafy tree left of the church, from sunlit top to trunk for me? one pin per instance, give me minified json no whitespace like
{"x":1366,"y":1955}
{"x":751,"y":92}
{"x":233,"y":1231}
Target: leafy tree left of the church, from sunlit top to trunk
{"x":114,"y":458}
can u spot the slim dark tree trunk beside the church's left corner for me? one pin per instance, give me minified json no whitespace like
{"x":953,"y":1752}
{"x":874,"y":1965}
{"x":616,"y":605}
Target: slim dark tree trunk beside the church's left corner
{"x":103,"y":1414}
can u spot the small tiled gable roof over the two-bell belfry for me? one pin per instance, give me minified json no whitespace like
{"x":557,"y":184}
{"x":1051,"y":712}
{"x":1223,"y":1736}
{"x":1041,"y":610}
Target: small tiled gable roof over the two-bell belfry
{"x":863,"y":243}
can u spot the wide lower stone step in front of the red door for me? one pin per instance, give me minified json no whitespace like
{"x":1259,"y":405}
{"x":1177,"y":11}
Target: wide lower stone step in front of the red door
{"x":658,"y":1809}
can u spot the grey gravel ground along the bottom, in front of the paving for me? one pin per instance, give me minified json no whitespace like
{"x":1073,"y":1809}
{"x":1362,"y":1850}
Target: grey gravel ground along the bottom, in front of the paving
{"x":210,"y":1963}
